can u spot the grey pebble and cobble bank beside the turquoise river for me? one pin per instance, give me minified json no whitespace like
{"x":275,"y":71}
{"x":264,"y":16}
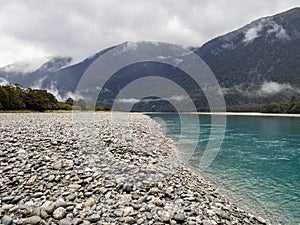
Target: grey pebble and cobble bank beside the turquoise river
{"x":118,"y":169}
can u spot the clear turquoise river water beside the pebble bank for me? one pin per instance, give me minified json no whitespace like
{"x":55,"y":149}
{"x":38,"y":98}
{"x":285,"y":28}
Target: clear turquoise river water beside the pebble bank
{"x":258,"y":162}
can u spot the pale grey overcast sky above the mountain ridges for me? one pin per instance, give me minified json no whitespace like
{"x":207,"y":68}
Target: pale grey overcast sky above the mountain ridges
{"x":78,"y":28}
